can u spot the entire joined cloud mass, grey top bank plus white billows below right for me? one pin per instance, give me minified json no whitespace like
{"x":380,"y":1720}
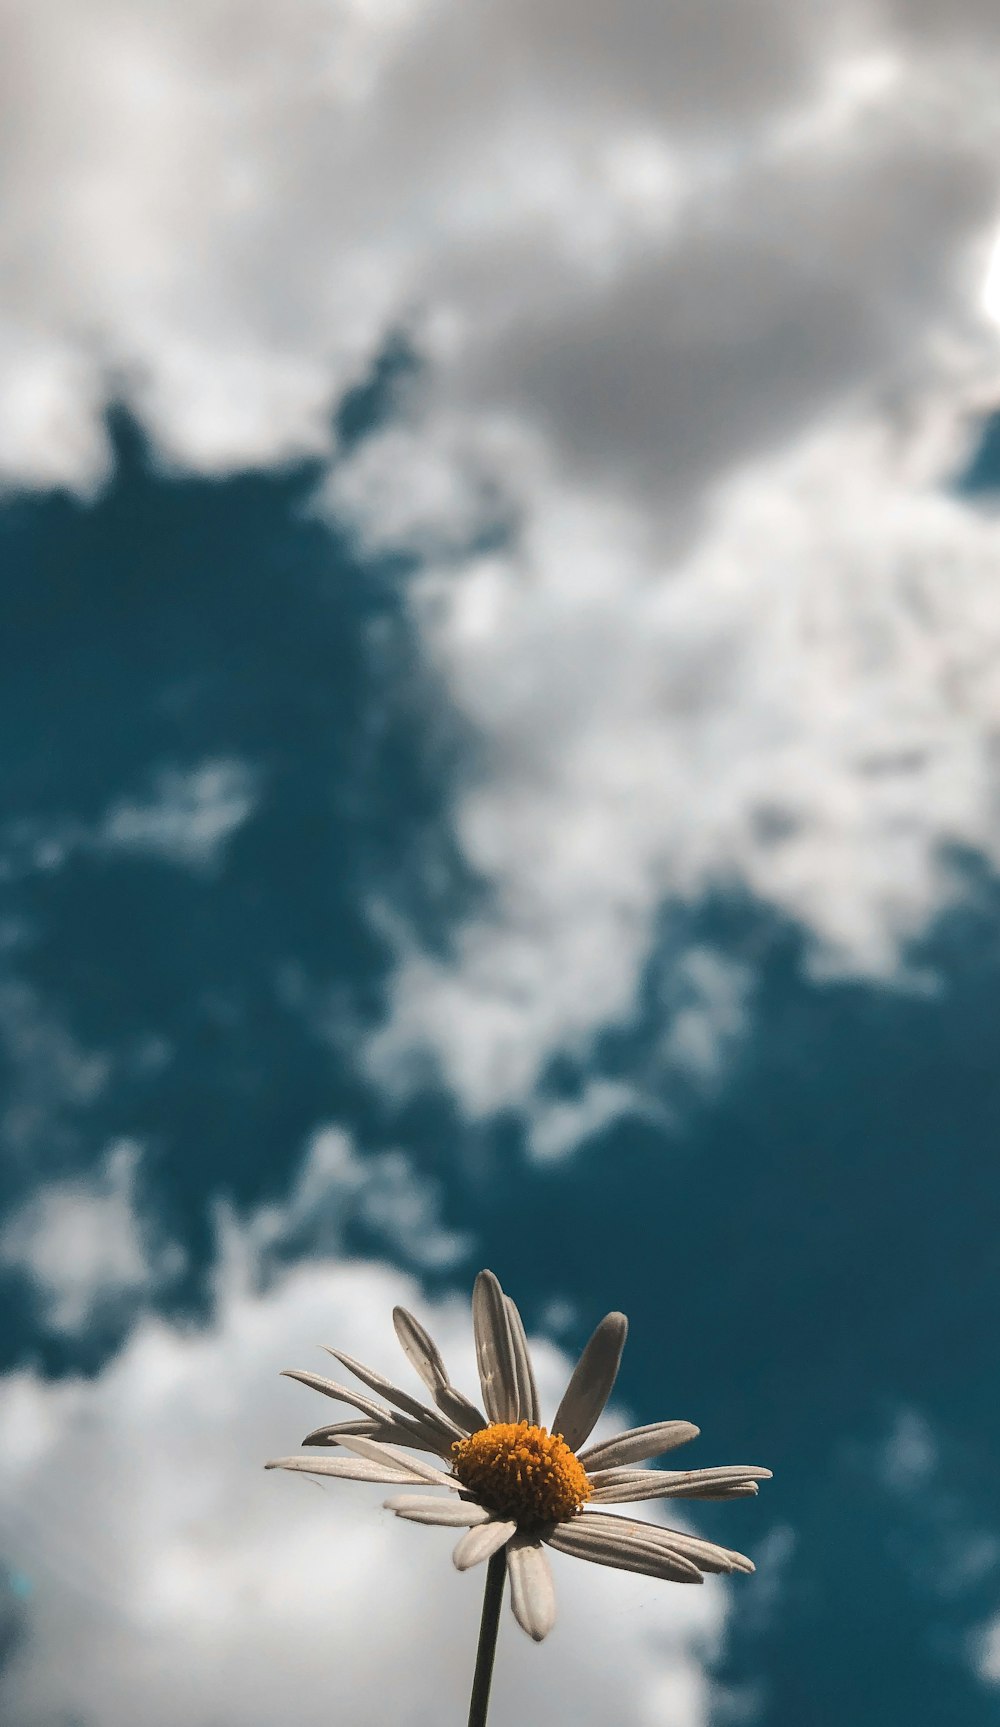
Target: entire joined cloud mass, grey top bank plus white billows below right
{"x":700,"y":301}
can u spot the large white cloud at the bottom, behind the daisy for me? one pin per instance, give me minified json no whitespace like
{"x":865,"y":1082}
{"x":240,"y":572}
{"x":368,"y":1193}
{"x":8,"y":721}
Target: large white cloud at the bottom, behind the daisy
{"x":170,"y":1576}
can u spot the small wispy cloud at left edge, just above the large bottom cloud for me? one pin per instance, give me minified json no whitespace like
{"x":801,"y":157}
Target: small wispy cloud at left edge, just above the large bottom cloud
{"x":85,"y":1246}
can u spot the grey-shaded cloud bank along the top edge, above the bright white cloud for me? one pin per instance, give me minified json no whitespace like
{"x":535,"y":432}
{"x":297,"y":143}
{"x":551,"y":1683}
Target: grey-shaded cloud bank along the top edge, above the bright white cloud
{"x":662,"y":239}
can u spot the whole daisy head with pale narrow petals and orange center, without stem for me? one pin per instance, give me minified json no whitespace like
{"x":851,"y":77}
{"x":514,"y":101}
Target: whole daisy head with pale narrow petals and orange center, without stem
{"x":510,"y":1483}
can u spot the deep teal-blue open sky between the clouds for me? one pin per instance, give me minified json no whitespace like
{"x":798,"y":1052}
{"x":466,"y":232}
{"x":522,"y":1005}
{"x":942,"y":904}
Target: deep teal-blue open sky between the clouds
{"x":814,"y":1251}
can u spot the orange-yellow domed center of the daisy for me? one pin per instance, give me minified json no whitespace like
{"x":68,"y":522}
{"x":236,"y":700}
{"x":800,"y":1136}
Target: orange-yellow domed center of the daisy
{"x":522,"y":1472}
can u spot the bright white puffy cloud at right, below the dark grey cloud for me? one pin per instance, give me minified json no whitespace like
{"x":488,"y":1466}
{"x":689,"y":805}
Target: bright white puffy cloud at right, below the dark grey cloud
{"x":801,"y":707}
